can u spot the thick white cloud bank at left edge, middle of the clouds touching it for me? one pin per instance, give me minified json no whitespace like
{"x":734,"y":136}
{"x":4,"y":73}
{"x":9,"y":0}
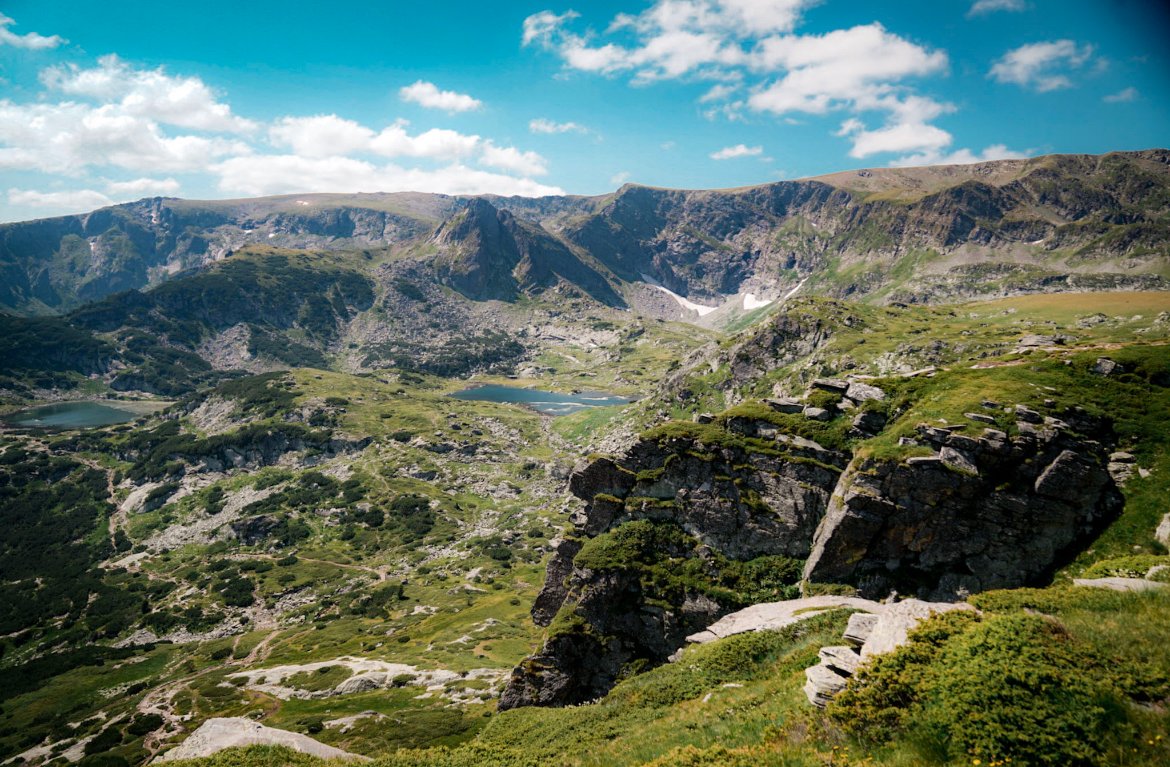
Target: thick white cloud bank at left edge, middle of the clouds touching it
{"x":68,"y":137}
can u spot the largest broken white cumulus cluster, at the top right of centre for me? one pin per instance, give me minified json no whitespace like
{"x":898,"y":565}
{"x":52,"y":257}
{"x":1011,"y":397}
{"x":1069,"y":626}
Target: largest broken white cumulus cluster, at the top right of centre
{"x":754,"y":47}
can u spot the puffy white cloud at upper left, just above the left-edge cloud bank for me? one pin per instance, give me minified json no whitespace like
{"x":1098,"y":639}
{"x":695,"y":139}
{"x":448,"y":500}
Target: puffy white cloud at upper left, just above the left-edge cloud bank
{"x":185,"y":102}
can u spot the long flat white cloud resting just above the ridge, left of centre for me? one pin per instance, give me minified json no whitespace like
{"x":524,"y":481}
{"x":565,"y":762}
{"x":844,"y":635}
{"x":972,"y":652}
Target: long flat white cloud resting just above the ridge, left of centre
{"x":287,"y":174}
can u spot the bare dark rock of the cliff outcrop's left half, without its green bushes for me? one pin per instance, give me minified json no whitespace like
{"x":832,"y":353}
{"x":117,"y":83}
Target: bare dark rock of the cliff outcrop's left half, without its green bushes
{"x":731,"y":500}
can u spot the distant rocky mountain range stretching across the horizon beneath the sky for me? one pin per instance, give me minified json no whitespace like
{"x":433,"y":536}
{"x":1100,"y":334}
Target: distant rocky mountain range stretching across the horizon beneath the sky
{"x":1063,"y":223}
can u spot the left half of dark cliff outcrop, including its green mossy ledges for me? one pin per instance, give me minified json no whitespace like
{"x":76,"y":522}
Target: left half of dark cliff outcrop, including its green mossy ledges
{"x":718,"y":503}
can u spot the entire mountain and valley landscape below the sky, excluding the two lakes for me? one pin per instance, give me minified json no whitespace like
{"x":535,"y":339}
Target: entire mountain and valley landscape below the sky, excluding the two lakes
{"x":302,"y":540}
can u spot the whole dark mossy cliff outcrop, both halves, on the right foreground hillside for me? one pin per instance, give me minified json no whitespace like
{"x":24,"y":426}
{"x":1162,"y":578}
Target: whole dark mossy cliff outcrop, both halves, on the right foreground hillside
{"x":673,"y":528}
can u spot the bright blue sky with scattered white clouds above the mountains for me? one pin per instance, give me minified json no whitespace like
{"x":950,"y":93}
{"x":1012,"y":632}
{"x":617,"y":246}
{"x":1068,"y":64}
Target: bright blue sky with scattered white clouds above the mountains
{"x":112,"y":102}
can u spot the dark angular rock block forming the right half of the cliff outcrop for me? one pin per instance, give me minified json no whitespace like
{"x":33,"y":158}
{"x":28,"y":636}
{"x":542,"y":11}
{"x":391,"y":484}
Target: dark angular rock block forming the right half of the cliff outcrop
{"x":934,"y":528}
